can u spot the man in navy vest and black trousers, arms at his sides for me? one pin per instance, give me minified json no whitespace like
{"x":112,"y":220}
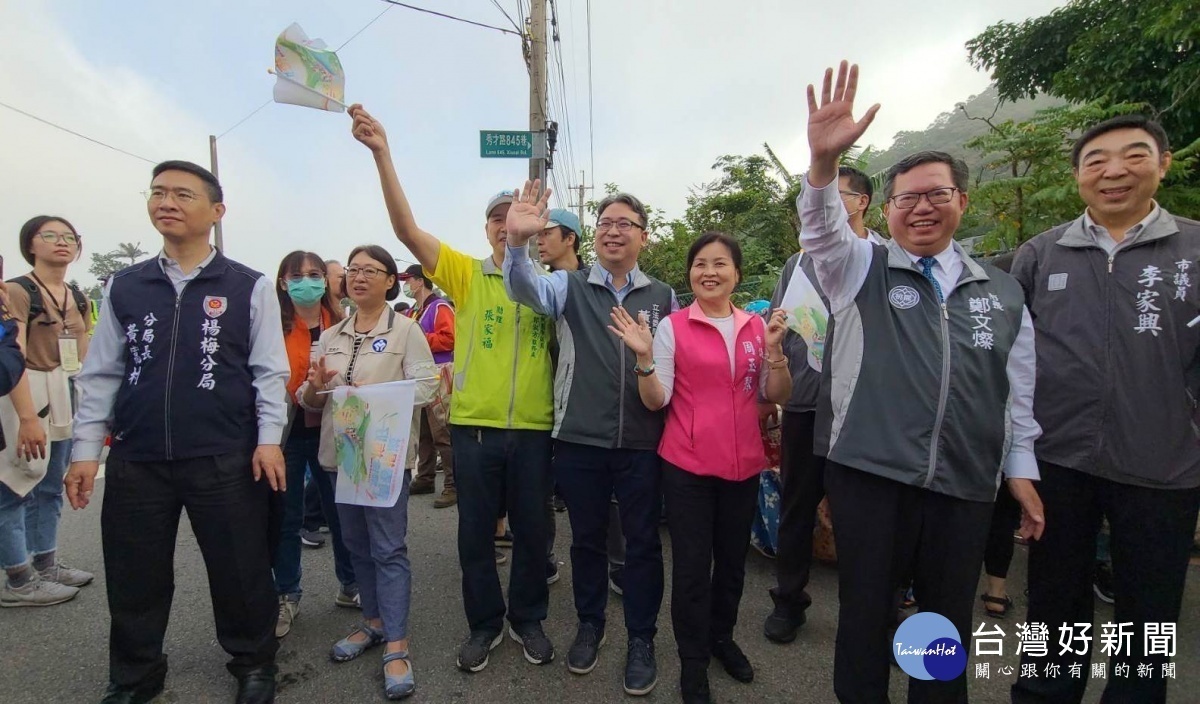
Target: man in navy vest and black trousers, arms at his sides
{"x":187,"y":372}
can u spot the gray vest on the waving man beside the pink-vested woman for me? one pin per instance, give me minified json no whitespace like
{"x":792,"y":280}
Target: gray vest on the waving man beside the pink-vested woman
{"x":596,"y":390}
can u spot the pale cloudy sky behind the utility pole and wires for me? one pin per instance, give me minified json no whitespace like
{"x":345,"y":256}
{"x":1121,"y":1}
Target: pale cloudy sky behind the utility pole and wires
{"x":675,"y":86}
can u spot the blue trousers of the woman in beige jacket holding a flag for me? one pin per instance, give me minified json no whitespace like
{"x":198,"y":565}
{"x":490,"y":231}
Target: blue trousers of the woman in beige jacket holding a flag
{"x":377,"y":540}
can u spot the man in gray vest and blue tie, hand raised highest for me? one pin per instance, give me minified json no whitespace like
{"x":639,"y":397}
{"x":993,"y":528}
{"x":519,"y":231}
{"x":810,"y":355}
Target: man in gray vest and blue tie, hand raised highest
{"x":927,"y":394}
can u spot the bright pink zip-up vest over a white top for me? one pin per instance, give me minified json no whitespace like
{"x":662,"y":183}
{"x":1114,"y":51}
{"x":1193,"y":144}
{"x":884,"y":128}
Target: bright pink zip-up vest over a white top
{"x":713,"y":419}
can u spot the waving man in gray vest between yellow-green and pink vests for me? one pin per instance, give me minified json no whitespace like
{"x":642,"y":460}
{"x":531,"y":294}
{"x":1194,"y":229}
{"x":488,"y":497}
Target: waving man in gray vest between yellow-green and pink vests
{"x":607,"y":441}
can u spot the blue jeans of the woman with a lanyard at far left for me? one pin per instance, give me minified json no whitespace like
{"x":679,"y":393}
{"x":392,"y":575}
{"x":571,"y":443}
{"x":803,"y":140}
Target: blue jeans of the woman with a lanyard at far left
{"x":29,"y":525}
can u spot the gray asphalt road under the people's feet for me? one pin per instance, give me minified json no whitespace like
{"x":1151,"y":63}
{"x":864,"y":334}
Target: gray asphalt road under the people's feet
{"x":59,"y":654}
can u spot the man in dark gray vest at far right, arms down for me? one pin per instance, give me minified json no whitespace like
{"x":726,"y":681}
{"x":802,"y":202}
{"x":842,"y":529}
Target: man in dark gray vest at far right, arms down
{"x":1113,"y":294}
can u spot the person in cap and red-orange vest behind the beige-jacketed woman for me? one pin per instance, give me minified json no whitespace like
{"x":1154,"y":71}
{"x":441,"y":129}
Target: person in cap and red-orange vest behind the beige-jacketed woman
{"x":436,"y":318}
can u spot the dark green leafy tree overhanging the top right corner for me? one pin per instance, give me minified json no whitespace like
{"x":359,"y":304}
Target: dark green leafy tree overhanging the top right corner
{"x":1112,"y":51}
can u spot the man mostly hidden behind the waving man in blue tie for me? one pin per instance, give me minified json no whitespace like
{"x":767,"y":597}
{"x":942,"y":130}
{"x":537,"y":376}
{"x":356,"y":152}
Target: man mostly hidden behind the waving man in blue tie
{"x":801,"y":471}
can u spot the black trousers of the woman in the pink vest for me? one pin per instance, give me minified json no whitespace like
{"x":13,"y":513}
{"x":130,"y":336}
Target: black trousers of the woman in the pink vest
{"x":710,"y":522}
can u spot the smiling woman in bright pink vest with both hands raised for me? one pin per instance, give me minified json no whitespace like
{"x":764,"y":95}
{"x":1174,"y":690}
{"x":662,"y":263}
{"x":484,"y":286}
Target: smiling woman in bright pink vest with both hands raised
{"x":707,"y":364}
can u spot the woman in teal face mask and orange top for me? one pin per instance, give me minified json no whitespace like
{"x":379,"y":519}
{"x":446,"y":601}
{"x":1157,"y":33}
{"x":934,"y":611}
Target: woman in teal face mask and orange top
{"x":308,"y":308}
